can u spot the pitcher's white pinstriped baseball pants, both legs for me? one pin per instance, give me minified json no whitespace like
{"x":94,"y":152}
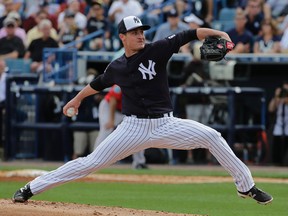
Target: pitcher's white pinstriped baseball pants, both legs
{"x":134,"y":134}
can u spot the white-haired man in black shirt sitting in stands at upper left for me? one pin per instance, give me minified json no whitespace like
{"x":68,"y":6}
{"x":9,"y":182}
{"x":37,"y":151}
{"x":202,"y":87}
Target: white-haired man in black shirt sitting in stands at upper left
{"x":36,"y":47}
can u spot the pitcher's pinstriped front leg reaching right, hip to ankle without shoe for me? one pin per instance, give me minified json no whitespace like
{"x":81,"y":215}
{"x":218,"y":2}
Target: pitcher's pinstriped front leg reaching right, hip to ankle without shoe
{"x":187,"y":134}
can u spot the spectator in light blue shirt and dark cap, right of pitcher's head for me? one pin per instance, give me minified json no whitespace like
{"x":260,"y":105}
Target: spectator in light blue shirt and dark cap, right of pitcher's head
{"x":172,"y":26}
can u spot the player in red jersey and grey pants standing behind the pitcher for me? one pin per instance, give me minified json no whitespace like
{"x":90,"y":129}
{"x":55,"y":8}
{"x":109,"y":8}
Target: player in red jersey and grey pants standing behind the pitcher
{"x":110,"y":116}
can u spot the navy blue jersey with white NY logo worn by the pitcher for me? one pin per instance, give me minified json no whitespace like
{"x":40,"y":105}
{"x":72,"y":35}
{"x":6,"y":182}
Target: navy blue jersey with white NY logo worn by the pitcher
{"x":143,"y":76}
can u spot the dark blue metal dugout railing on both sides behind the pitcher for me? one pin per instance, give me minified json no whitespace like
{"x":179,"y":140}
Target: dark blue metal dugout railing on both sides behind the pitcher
{"x":18,"y":93}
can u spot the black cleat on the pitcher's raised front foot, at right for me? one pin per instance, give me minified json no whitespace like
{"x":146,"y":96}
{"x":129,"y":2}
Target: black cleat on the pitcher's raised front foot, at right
{"x":260,"y":196}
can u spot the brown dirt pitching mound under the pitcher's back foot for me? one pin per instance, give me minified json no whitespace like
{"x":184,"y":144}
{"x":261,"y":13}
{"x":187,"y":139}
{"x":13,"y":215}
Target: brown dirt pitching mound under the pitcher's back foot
{"x":44,"y":208}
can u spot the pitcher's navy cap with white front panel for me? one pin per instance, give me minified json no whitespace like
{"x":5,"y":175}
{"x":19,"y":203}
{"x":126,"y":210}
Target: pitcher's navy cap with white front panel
{"x":130,"y":23}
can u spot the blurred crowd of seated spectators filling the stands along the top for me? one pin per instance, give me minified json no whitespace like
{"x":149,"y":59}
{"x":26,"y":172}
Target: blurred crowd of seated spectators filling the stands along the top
{"x":26,"y":27}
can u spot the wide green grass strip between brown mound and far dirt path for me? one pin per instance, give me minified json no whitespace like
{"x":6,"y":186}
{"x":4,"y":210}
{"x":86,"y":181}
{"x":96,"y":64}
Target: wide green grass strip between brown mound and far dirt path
{"x":217,"y":199}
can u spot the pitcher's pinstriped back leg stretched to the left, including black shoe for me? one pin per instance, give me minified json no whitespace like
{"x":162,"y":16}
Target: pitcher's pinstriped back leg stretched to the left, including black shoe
{"x":119,"y":144}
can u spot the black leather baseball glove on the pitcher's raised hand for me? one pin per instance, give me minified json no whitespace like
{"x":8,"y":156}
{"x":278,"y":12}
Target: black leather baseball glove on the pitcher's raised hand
{"x":215,"y":48}
